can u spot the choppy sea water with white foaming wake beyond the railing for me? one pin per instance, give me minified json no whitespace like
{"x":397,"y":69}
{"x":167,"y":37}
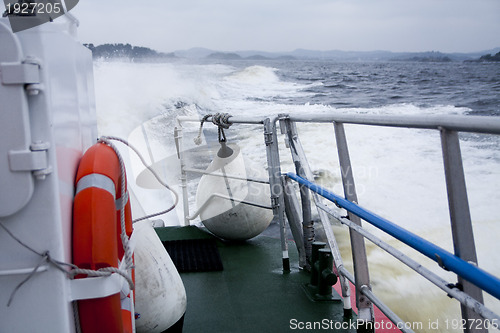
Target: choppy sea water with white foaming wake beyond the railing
{"x":398,"y":172}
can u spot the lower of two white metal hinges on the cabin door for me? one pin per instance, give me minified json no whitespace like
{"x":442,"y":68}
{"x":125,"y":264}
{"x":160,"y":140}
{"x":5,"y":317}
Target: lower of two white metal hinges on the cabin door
{"x":35,"y":160}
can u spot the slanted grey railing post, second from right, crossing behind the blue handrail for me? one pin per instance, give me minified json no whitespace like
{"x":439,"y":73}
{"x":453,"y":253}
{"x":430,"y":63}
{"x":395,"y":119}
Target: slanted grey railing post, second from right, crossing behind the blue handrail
{"x":361,"y":271}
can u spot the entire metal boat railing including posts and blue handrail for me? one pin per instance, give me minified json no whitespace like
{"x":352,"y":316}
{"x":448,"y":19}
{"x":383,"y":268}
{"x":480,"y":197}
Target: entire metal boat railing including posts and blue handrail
{"x":472,"y":280}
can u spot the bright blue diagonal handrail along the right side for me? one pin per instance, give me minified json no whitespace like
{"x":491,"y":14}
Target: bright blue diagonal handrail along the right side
{"x":470,"y":272}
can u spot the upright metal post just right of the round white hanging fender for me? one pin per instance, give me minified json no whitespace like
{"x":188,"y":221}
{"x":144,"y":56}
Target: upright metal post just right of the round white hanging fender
{"x":274,"y":169}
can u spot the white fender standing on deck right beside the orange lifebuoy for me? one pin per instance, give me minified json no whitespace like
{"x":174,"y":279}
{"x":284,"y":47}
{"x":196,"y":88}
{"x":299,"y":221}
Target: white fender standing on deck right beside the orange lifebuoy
{"x":160,"y":295}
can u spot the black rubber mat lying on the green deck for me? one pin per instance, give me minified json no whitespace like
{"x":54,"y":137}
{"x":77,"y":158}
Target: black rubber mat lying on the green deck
{"x":194,"y":255}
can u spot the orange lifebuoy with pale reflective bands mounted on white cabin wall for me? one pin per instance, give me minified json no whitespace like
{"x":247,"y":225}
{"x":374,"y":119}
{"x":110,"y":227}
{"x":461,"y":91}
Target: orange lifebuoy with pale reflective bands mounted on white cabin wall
{"x":96,"y":236}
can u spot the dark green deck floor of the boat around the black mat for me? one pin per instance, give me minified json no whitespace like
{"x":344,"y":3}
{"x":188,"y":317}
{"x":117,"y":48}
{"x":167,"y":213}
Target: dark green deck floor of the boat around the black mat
{"x":252,"y":294}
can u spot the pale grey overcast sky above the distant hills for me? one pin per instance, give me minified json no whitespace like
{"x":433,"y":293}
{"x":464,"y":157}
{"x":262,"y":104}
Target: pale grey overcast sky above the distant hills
{"x":285,"y":25}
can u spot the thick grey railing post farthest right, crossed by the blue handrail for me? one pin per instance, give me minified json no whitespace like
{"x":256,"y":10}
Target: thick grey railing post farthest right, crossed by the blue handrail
{"x":461,"y":225}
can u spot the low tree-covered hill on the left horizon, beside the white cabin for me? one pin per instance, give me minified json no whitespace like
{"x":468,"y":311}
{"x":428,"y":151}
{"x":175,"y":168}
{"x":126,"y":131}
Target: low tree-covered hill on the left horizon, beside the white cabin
{"x":110,"y":51}
